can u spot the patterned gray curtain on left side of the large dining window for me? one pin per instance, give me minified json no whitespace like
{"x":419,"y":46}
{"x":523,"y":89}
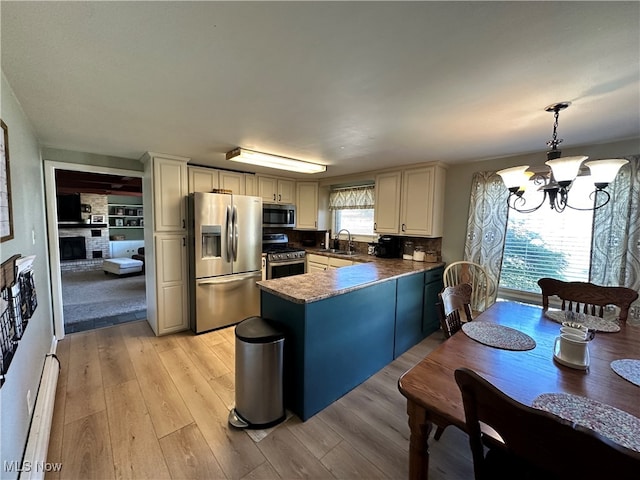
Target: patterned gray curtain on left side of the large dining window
{"x":487,"y":226}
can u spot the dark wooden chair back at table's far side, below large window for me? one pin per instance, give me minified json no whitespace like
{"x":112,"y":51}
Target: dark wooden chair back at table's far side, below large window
{"x":587,"y":297}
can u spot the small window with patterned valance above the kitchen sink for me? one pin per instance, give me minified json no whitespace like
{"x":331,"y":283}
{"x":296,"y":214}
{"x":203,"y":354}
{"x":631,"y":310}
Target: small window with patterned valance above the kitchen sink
{"x":352,"y":209}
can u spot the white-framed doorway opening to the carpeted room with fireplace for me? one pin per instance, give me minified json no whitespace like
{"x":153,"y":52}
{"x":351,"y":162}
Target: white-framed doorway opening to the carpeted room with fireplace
{"x":84,"y":296}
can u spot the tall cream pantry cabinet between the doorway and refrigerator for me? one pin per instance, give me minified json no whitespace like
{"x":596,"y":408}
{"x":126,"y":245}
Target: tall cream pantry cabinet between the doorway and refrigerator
{"x":165,"y":186}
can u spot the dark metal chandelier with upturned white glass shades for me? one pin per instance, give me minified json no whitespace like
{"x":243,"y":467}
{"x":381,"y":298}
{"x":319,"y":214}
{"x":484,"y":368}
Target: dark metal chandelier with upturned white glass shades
{"x":556,"y":184}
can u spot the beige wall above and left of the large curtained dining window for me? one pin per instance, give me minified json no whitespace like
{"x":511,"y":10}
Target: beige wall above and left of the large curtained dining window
{"x":458,"y":189}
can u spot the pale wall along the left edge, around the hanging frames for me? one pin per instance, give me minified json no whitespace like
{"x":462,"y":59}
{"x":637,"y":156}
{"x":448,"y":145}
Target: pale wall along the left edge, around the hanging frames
{"x":27,"y":189}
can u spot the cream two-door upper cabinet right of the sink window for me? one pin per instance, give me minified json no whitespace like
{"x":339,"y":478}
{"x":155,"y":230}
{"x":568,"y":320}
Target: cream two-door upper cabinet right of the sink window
{"x":411,"y":202}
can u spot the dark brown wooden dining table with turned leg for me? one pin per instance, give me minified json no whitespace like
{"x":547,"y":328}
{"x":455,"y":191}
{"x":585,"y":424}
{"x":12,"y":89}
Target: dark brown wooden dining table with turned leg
{"x":433,"y":397}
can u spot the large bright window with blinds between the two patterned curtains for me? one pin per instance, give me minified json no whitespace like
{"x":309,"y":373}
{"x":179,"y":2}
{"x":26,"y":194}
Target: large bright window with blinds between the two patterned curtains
{"x":546,"y":243}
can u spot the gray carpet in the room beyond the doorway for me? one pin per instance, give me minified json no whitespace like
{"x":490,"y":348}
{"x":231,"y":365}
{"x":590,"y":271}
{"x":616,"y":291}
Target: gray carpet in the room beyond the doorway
{"x":94,"y":295}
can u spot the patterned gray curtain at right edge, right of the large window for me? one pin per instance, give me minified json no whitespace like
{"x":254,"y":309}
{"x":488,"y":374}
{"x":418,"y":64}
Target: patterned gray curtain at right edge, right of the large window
{"x":615,"y":250}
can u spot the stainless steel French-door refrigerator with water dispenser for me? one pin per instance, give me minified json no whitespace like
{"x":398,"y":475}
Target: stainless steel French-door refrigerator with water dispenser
{"x":226,"y":250}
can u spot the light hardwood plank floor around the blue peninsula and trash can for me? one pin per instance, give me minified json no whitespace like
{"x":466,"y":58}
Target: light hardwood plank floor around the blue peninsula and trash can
{"x":132,"y":405}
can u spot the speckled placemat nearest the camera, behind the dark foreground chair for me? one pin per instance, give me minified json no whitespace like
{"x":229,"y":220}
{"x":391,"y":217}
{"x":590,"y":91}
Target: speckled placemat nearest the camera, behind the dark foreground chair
{"x":608,"y":421}
